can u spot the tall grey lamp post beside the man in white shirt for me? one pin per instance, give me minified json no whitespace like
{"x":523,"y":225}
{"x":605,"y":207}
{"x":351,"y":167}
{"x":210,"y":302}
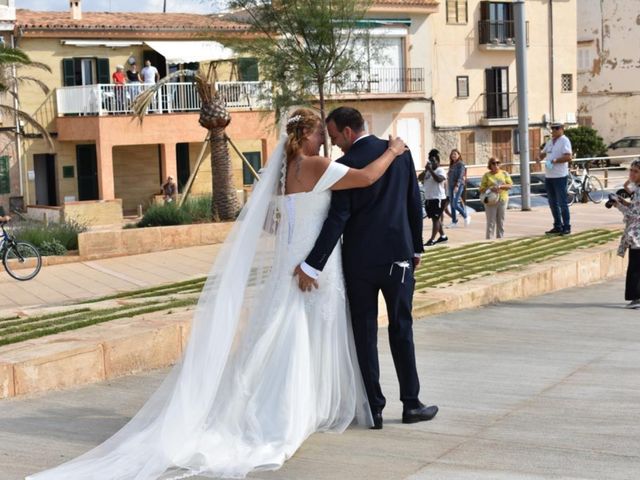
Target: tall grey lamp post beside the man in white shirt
{"x":523,"y":110}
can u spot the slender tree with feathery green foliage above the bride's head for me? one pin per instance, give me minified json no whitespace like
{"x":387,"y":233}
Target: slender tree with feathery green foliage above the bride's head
{"x":303,"y":46}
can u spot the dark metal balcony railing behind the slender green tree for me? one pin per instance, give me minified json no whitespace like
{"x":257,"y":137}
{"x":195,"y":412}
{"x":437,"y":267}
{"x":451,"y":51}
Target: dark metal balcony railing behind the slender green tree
{"x":380,"y":80}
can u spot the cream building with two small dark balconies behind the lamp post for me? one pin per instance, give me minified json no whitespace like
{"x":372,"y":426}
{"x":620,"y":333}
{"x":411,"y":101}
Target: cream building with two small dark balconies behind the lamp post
{"x":474,"y":88}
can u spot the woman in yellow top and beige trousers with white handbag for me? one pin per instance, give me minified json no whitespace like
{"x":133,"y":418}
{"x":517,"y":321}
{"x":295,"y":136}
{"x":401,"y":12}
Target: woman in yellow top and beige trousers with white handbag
{"x":494,"y":194}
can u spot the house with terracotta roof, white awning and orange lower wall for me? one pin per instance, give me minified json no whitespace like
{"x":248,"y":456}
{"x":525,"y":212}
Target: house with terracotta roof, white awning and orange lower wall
{"x":102,"y":153}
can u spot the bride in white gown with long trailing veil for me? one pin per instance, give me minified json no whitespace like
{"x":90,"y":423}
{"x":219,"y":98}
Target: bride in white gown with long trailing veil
{"x":266,"y":365}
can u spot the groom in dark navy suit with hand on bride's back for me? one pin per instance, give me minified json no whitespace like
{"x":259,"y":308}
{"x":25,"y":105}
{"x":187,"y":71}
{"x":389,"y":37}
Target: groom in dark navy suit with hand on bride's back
{"x":381,"y":228}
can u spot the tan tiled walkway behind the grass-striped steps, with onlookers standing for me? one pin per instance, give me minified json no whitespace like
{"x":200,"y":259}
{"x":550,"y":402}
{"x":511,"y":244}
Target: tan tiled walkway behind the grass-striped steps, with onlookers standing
{"x":68,"y":283}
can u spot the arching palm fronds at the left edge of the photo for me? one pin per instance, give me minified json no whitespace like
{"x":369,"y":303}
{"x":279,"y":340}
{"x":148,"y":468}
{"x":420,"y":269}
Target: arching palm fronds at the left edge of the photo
{"x":12,"y":62}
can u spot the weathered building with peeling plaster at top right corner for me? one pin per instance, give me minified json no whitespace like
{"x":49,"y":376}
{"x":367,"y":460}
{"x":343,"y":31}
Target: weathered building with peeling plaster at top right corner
{"x":608,"y":67}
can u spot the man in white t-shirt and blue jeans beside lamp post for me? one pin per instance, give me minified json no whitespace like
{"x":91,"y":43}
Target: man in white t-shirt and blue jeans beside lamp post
{"x":557,"y":154}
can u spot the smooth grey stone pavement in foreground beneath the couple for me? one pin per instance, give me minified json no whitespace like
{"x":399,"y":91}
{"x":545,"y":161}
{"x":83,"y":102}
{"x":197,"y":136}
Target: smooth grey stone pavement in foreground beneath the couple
{"x":546,"y":388}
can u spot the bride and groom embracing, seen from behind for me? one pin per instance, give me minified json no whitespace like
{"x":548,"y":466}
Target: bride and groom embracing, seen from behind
{"x":273,"y":358}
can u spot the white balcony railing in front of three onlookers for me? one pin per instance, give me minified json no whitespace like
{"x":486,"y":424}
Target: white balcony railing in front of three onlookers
{"x":106,"y":99}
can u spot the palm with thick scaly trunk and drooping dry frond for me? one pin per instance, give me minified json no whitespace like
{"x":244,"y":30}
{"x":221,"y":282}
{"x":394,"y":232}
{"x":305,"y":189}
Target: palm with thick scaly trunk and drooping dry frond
{"x":215,"y":117}
